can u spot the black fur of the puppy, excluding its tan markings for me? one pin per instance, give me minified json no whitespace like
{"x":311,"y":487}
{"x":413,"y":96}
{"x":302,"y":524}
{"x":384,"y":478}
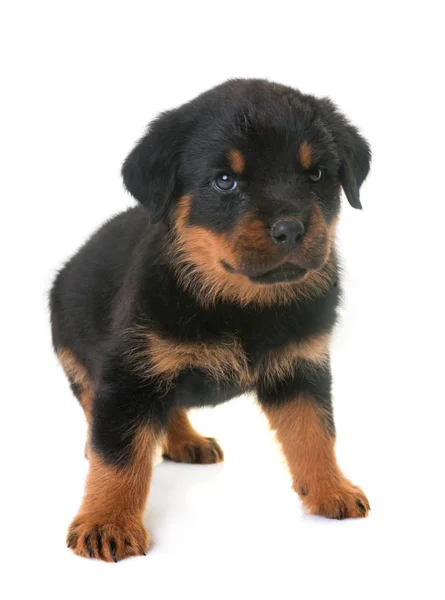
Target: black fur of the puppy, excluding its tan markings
{"x":123,"y":277}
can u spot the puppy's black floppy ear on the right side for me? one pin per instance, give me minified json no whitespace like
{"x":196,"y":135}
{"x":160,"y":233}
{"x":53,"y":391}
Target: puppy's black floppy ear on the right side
{"x":354,"y":152}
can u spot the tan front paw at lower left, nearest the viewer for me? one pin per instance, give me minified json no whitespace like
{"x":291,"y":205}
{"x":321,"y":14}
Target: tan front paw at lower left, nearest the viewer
{"x":107,"y":539}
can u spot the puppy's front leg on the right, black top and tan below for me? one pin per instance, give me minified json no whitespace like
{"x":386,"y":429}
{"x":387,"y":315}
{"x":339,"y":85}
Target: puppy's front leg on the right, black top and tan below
{"x":299,"y":408}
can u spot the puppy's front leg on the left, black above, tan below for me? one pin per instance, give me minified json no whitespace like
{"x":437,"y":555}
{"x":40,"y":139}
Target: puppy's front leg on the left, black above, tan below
{"x":126,"y":427}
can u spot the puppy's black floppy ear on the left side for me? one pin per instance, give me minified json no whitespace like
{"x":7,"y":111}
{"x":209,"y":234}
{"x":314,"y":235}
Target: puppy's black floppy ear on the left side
{"x":150,"y":171}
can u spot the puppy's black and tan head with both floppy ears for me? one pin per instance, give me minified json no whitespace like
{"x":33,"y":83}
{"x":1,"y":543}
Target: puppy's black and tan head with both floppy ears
{"x":248,"y":175}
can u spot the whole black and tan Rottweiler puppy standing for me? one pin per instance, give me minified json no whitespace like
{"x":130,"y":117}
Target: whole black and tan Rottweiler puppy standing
{"x":223,"y":280}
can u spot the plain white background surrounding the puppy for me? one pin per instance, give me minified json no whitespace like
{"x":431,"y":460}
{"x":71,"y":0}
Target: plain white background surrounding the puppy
{"x":80,"y":80}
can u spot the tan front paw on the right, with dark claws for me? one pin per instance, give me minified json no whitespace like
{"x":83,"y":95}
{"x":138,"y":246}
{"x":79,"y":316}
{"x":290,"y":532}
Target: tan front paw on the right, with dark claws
{"x":341,"y":501}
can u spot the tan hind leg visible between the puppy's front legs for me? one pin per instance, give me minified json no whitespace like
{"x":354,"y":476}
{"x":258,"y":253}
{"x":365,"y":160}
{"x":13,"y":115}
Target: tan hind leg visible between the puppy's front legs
{"x":184,"y":444}
